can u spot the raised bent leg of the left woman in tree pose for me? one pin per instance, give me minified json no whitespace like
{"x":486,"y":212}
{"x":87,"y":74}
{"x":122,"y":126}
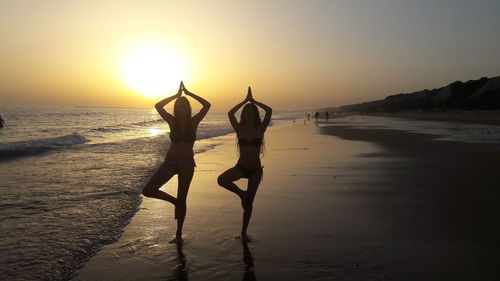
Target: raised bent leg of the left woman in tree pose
{"x":159,"y":178}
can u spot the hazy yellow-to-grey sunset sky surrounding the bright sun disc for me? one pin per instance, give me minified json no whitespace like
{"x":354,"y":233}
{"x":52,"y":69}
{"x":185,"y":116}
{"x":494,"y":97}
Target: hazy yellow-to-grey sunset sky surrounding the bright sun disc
{"x":294,"y":54}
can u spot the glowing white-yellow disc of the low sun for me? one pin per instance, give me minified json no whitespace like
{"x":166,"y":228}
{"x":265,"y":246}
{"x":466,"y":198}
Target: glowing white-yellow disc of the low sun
{"x":152,"y":68}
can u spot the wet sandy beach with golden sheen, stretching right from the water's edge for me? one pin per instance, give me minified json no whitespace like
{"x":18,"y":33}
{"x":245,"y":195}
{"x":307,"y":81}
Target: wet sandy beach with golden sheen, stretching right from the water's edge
{"x":336,"y":203}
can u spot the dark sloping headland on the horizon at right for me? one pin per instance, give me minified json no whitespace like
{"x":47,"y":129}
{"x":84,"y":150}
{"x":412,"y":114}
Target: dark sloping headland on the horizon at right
{"x":476,"y":101}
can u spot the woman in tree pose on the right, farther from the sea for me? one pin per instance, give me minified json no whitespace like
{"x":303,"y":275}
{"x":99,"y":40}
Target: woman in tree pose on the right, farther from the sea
{"x":250,"y":132}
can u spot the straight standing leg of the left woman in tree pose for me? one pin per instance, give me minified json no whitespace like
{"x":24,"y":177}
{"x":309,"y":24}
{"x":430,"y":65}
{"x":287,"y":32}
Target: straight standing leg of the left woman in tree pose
{"x":185,"y":176}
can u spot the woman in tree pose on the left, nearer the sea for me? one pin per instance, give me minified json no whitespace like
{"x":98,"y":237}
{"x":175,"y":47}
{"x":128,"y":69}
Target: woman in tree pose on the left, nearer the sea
{"x":180,"y":157}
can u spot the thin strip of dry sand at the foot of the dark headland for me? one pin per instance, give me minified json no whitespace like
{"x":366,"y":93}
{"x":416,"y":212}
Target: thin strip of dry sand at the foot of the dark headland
{"x":479,"y":117}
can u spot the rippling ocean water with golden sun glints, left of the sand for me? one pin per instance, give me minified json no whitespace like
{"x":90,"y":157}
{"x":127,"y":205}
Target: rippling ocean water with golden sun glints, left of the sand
{"x":71,"y":180}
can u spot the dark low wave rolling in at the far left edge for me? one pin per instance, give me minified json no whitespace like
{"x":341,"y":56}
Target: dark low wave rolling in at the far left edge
{"x":29,"y":147}
